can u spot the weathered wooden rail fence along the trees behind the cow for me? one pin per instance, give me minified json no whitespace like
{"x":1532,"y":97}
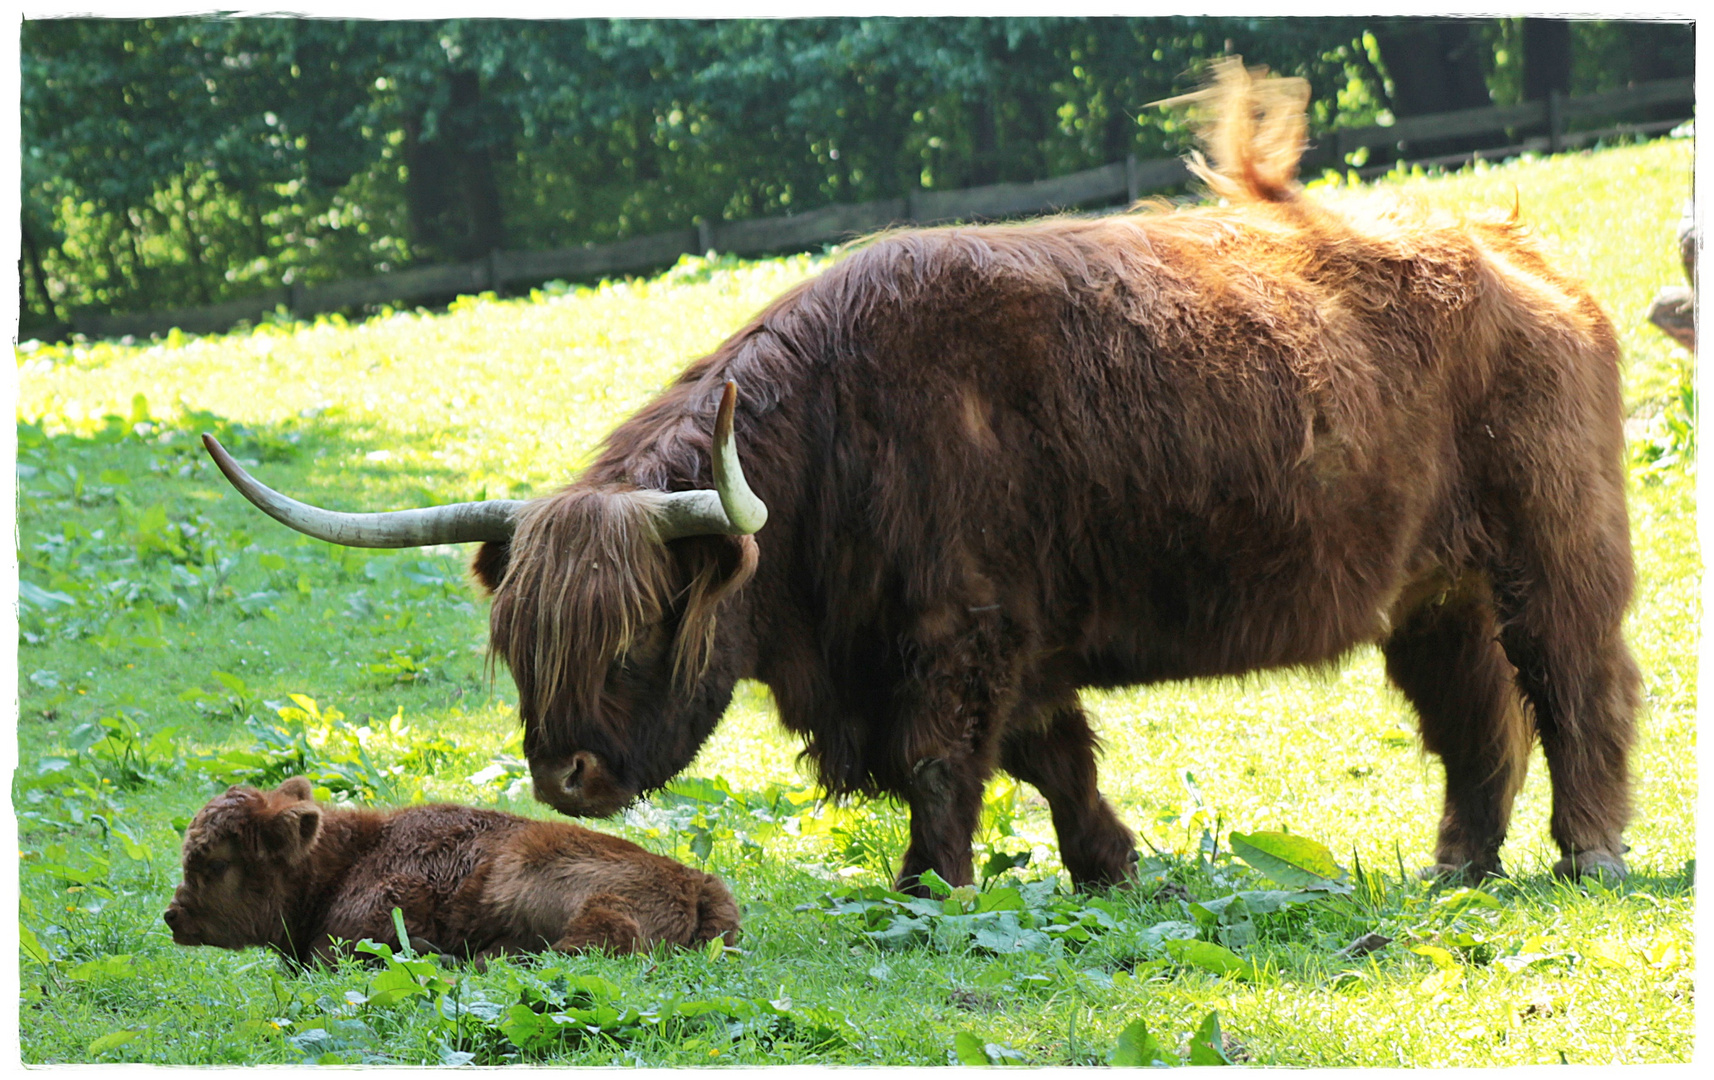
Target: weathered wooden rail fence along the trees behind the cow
{"x":1112,"y":184}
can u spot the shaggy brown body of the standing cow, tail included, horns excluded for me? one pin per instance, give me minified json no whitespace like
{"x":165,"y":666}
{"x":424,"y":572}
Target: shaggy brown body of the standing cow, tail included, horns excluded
{"x":1005,"y":464}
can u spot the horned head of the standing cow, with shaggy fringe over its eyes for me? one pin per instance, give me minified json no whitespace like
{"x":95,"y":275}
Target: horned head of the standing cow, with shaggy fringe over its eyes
{"x":604,"y":611}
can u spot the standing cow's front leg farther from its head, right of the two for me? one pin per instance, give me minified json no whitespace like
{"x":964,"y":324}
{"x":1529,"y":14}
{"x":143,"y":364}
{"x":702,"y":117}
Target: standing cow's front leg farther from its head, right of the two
{"x":1060,"y":762}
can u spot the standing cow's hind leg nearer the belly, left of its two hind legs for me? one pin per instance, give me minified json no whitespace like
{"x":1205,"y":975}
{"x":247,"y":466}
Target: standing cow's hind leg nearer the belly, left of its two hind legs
{"x":1447,"y":663}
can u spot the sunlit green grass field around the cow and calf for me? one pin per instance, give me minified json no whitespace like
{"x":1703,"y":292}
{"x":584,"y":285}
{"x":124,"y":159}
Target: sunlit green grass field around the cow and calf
{"x":172,"y":642}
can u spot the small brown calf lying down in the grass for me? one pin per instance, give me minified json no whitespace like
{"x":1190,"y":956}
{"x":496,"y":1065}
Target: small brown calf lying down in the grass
{"x":280,"y":870}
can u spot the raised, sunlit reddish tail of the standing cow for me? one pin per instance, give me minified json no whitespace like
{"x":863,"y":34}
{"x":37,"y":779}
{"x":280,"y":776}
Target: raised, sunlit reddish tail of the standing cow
{"x":1252,"y":128}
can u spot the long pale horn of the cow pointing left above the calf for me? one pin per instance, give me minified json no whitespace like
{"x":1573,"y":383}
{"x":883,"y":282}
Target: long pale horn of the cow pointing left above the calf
{"x":455,"y":524}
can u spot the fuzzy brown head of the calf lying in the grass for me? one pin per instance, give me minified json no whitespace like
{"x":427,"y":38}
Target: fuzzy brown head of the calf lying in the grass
{"x":244,"y":860}
